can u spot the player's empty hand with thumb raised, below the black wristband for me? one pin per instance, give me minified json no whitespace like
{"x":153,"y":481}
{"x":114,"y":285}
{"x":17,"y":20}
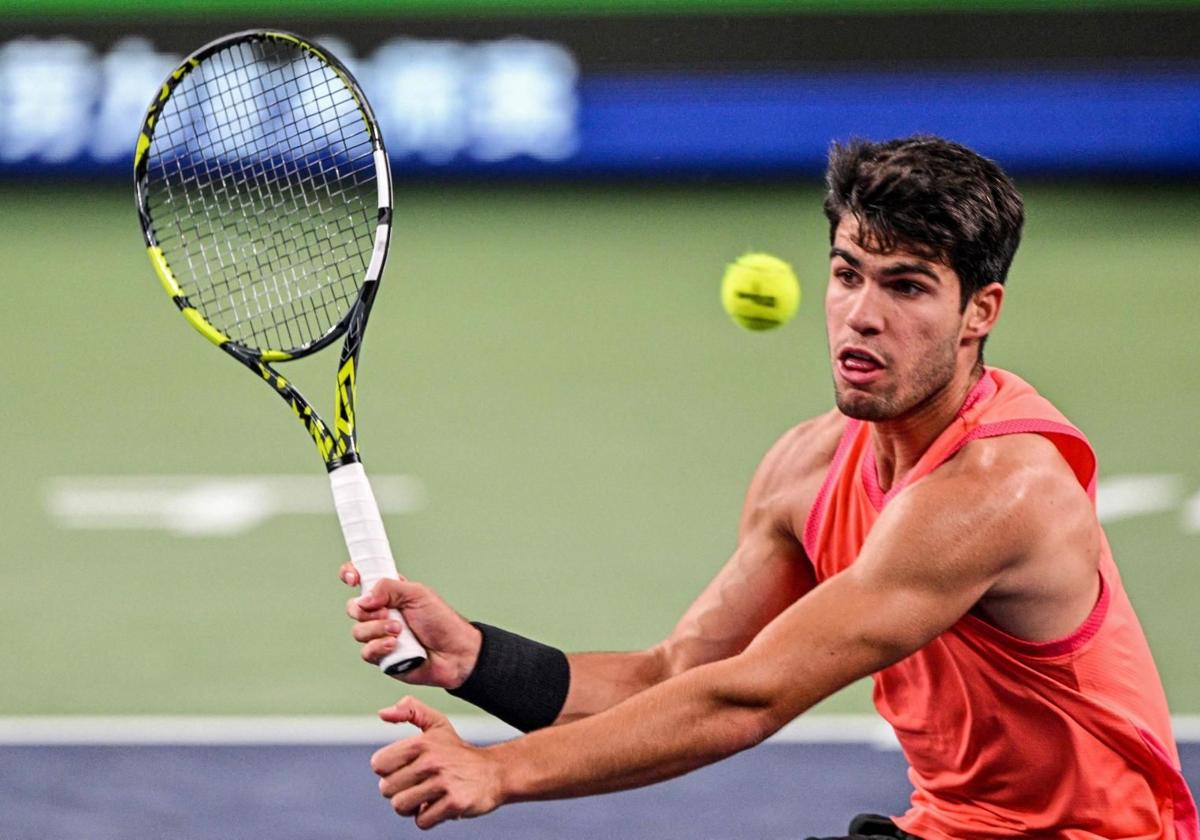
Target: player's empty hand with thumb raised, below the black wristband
{"x":436,"y":776}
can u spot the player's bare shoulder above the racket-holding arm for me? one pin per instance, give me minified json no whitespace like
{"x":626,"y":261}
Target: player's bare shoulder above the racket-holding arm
{"x":790,"y":476}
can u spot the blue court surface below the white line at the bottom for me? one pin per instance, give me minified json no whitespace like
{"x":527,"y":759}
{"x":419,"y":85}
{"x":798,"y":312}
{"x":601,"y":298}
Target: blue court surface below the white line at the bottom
{"x":115,"y":791}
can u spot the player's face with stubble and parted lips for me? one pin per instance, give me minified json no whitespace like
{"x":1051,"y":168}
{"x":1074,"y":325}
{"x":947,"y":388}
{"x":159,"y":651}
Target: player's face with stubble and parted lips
{"x":895,"y":328}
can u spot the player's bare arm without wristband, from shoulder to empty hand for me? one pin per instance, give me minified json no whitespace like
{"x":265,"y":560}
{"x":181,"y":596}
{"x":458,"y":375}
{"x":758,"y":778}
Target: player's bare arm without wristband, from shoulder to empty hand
{"x":985,"y":531}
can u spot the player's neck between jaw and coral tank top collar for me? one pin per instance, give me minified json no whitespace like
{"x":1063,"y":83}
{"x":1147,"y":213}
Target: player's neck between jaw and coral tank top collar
{"x":901,"y":443}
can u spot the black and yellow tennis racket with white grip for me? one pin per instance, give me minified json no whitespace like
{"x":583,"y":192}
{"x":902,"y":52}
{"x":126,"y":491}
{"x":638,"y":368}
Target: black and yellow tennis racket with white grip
{"x":265,"y":196}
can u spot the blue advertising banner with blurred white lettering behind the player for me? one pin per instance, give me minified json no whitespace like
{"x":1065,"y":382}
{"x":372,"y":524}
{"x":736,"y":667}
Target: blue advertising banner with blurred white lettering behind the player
{"x":520,"y":106}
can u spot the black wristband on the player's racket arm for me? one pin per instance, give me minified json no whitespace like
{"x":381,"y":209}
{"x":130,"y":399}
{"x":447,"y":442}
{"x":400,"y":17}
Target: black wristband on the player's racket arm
{"x":518,"y":680}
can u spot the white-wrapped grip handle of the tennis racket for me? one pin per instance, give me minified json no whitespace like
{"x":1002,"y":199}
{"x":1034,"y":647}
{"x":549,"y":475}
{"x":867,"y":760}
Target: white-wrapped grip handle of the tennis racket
{"x":371,"y":555}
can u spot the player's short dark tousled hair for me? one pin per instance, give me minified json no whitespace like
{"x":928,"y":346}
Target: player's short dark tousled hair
{"x":932,"y":197}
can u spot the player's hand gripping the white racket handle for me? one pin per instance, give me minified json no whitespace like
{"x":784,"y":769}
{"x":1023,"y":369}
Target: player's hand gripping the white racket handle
{"x":451,"y":641}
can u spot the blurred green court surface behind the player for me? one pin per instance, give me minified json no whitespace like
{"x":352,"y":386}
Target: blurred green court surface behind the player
{"x":551,"y":364}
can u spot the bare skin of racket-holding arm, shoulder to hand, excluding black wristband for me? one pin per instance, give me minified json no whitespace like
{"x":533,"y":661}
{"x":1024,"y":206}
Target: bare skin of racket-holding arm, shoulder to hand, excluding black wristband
{"x":766,"y":574}
